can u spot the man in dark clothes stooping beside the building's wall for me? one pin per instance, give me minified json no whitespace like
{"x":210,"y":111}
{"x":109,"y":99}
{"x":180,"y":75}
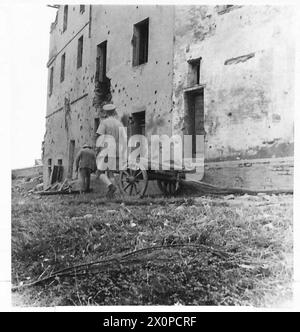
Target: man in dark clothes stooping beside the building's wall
{"x":86,"y":164}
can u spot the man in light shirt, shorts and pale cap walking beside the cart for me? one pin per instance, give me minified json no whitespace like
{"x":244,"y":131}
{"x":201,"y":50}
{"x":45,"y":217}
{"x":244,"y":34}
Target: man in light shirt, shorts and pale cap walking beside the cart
{"x":110,"y":127}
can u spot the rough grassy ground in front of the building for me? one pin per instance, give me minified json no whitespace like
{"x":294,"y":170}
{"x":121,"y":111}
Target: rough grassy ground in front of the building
{"x":205,"y":250}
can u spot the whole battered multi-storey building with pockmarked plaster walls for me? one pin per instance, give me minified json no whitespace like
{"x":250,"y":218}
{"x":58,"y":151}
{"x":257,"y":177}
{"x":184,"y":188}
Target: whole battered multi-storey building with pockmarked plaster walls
{"x":223,"y":71}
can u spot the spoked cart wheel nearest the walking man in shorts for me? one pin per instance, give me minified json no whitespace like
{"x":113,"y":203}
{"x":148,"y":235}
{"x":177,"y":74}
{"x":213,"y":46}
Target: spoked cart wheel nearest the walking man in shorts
{"x":134,"y":182}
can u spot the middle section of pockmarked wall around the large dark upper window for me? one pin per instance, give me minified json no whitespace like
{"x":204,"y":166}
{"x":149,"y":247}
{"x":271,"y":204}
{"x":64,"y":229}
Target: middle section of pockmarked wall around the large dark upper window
{"x":146,"y":87}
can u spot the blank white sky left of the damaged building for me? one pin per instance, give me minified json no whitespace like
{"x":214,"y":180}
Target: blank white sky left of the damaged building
{"x":29,"y":38}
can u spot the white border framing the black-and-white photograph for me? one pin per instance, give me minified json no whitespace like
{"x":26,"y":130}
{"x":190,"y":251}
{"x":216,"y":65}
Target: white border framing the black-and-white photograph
{"x":5,"y":203}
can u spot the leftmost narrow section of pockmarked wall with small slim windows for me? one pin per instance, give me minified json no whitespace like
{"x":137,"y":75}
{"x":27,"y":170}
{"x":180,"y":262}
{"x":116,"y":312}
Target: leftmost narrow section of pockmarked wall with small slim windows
{"x":69,"y":112}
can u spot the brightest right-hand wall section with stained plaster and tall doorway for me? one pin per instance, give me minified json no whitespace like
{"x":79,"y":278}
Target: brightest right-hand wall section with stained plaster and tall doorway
{"x":247,"y":73}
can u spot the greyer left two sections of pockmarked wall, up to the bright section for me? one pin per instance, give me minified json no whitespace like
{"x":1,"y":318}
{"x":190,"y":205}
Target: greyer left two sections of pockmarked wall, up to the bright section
{"x":147,"y":87}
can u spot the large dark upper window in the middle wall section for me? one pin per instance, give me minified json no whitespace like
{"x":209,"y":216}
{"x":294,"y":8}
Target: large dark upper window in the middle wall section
{"x":140,"y":42}
